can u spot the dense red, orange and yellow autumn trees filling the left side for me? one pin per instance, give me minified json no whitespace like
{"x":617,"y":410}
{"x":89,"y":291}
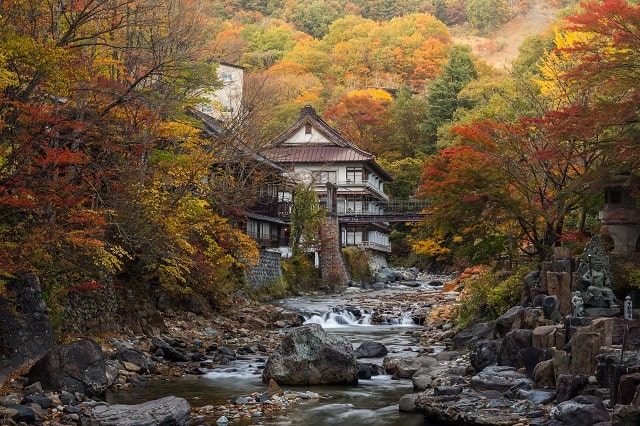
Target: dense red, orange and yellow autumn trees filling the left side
{"x":98,"y":164}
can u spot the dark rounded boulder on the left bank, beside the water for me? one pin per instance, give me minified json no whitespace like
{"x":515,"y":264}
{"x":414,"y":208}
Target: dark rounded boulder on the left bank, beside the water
{"x":76,"y":367}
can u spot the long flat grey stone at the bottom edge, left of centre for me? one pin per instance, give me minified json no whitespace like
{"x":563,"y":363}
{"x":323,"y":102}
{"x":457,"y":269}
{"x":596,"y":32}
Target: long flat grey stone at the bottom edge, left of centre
{"x":168,"y":411}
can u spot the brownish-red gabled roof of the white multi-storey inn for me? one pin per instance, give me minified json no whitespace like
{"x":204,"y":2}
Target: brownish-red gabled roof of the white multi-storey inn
{"x":335,"y":149}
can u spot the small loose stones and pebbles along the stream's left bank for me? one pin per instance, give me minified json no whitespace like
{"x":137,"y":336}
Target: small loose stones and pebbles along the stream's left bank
{"x":250,"y":329}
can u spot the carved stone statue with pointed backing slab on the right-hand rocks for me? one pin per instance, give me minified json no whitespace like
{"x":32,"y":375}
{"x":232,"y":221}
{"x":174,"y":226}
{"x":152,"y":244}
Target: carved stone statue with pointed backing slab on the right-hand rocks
{"x":594,"y":281}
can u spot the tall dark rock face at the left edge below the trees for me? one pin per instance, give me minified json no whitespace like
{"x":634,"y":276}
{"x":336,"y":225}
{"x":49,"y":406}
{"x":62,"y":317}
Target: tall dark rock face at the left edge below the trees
{"x":25,"y":331}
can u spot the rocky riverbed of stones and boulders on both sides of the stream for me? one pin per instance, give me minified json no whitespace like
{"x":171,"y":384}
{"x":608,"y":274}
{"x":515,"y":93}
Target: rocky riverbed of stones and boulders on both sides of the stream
{"x":523,"y":369}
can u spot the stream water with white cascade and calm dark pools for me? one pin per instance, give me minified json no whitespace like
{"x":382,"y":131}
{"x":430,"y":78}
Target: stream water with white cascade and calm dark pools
{"x":371,"y":402}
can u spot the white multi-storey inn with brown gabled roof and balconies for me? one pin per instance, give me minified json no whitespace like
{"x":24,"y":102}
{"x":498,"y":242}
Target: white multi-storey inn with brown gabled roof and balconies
{"x":313,"y":153}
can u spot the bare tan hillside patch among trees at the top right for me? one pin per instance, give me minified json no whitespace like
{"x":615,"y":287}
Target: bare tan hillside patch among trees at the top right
{"x":500,"y":48}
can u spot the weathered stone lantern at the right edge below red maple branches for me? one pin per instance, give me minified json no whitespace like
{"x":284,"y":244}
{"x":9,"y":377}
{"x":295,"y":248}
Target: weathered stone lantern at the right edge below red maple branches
{"x":620,"y":217}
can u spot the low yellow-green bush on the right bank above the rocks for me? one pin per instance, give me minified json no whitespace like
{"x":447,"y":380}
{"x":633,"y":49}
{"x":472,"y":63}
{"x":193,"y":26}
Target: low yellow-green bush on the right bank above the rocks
{"x":490,"y":295}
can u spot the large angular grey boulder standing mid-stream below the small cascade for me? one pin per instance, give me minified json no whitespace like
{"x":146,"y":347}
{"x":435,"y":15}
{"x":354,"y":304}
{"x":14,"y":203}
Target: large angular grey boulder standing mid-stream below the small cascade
{"x":310,"y":356}
